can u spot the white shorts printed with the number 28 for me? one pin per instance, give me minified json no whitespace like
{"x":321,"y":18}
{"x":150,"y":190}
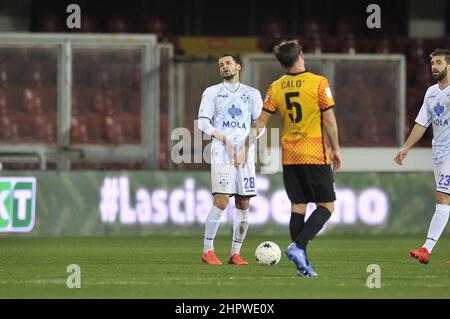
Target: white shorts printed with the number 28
{"x":227,"y":179}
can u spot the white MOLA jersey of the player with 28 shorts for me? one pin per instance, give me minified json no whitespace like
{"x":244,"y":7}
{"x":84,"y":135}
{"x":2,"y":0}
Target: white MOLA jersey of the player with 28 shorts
{"x":231,"y":109}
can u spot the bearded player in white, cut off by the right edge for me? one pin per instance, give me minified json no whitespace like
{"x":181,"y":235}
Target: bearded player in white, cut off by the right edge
{"x":435,"y":111}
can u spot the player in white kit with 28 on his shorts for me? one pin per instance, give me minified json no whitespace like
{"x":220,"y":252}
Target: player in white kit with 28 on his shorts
{"x":227,"y":111}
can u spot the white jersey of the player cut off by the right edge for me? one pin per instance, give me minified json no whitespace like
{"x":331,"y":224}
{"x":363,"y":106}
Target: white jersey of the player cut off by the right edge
{"x":435,"y":110}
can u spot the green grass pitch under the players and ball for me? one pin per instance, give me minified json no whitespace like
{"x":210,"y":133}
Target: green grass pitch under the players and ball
{"x":170,"y":267}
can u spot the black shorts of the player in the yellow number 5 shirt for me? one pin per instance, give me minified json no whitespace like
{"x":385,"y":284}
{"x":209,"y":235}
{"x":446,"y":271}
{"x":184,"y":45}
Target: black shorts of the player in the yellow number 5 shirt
{"x":309,"y":183}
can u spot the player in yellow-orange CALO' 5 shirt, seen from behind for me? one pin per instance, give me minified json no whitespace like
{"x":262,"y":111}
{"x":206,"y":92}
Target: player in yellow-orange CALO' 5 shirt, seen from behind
{"x":305,"y":103}
